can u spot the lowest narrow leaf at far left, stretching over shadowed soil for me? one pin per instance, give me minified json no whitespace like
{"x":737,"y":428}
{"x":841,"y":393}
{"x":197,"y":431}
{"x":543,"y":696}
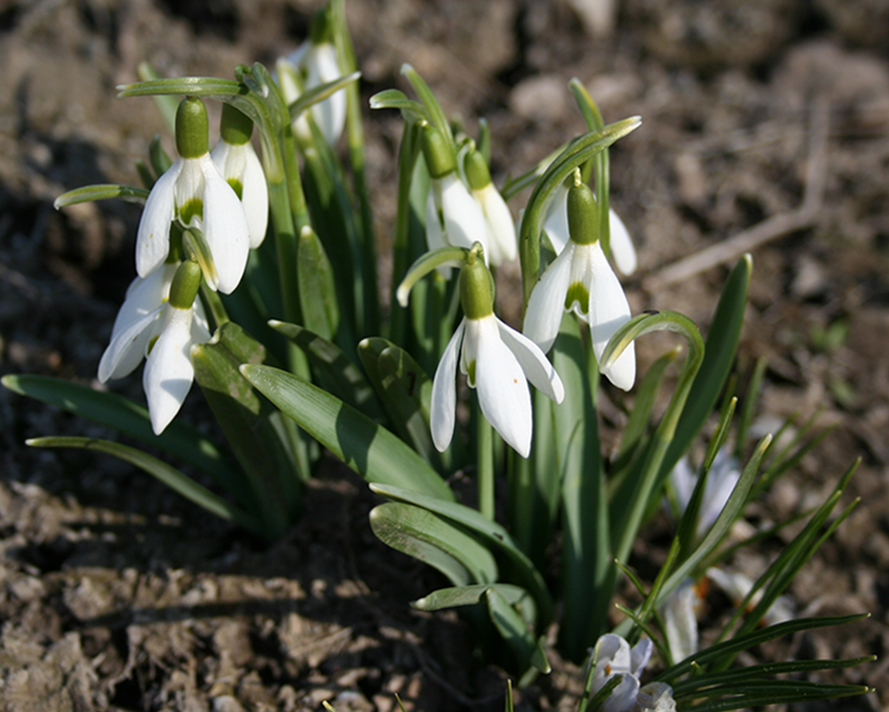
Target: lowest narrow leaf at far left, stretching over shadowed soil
{"x":170,"y":476}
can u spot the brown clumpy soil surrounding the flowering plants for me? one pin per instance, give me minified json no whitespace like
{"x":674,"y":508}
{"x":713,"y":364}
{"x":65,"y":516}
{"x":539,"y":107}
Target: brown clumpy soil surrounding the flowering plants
{"x":115,"y":594}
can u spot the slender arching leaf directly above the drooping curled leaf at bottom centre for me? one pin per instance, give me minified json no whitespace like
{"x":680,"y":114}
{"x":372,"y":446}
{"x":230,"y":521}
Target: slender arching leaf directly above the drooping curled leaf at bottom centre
{"x":487,"y":531}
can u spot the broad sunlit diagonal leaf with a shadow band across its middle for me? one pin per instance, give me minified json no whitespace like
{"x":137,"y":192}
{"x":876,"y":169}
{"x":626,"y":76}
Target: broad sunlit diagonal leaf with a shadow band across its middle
{"x":368,"y":448}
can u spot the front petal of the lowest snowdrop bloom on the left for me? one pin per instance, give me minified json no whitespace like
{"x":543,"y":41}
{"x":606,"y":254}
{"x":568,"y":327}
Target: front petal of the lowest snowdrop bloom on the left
{"x":169,"y":373}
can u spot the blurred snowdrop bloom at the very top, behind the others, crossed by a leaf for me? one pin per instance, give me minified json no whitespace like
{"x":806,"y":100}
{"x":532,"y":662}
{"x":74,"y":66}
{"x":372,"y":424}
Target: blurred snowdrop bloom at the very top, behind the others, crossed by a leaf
{"x":314,"y":63}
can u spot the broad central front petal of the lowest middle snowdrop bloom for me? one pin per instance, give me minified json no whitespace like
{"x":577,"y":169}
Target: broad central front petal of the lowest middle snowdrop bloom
{"x":503,"y":392}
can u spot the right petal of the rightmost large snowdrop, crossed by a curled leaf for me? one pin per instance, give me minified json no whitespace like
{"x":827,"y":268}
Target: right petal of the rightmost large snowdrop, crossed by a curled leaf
{"x":609,"y":310}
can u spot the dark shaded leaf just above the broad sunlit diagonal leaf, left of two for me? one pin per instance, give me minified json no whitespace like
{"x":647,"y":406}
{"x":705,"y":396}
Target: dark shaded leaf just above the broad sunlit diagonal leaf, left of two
{"x":335,"y":372}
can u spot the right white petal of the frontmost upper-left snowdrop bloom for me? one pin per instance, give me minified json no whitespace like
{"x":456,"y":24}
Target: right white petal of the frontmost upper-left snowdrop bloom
{"x":225,"y":229}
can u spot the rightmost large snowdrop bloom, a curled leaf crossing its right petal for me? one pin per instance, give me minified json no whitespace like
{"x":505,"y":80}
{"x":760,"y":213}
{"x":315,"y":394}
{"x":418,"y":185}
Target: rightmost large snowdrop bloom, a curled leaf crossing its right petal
{"x":581,"y":280}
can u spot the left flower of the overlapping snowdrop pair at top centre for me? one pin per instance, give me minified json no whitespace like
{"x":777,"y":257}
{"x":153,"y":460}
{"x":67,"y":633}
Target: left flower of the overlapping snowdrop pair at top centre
{"x":453,"y":217}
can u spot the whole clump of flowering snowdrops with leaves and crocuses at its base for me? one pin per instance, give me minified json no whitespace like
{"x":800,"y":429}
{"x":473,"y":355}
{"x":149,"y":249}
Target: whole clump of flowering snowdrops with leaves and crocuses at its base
{"x":257,"y":279}
